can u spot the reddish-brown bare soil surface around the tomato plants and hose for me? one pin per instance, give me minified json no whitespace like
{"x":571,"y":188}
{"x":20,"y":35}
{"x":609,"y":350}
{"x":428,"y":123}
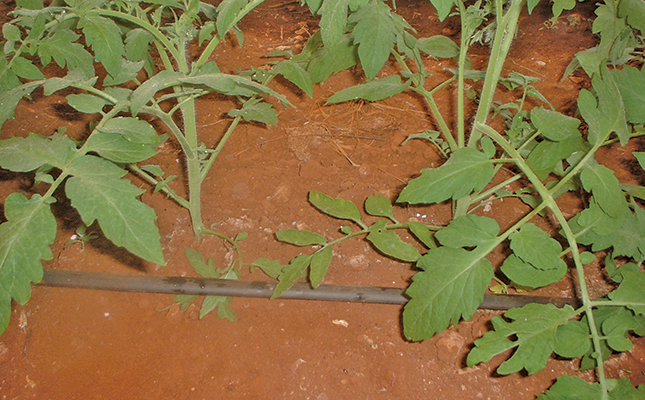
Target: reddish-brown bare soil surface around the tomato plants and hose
{"x":81,"y":344}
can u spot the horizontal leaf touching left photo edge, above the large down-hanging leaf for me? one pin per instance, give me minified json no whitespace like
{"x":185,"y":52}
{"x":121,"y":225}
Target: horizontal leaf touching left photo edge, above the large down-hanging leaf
{"x":27,"y":154}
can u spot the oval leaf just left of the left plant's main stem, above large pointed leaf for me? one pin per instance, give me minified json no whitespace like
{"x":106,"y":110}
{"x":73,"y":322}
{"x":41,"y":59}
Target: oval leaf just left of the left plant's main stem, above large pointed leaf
{"x":115,"y":147}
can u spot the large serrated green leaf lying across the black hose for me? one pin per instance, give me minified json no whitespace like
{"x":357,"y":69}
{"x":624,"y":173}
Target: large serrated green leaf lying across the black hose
{"x":451,"y":287}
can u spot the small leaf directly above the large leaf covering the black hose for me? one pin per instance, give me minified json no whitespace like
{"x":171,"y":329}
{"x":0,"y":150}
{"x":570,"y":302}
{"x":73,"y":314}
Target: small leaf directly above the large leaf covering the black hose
{"x":468,"y":231}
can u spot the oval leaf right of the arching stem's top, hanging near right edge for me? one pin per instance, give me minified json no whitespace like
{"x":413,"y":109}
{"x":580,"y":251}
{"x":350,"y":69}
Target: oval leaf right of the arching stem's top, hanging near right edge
{"x":604,"y":186}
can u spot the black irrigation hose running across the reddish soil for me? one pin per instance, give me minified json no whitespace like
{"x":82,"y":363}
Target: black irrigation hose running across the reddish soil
{"x":299,"y":291}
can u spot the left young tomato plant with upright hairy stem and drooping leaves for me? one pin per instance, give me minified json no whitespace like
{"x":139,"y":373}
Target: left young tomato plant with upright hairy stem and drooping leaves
{"x":124,"y":37}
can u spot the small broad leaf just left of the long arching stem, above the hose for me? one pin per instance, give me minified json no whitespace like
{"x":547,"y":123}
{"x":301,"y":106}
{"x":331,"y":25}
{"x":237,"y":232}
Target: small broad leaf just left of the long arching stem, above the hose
{"x":538,"y":248}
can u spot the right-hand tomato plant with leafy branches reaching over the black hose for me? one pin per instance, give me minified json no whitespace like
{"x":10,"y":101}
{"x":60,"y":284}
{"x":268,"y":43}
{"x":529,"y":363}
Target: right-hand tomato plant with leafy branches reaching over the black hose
{"x":548,"y":153}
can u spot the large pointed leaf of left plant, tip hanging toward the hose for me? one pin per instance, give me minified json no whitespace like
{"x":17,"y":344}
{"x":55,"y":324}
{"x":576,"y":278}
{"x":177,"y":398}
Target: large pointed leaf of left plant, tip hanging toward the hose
{"x":98,"y":193}
